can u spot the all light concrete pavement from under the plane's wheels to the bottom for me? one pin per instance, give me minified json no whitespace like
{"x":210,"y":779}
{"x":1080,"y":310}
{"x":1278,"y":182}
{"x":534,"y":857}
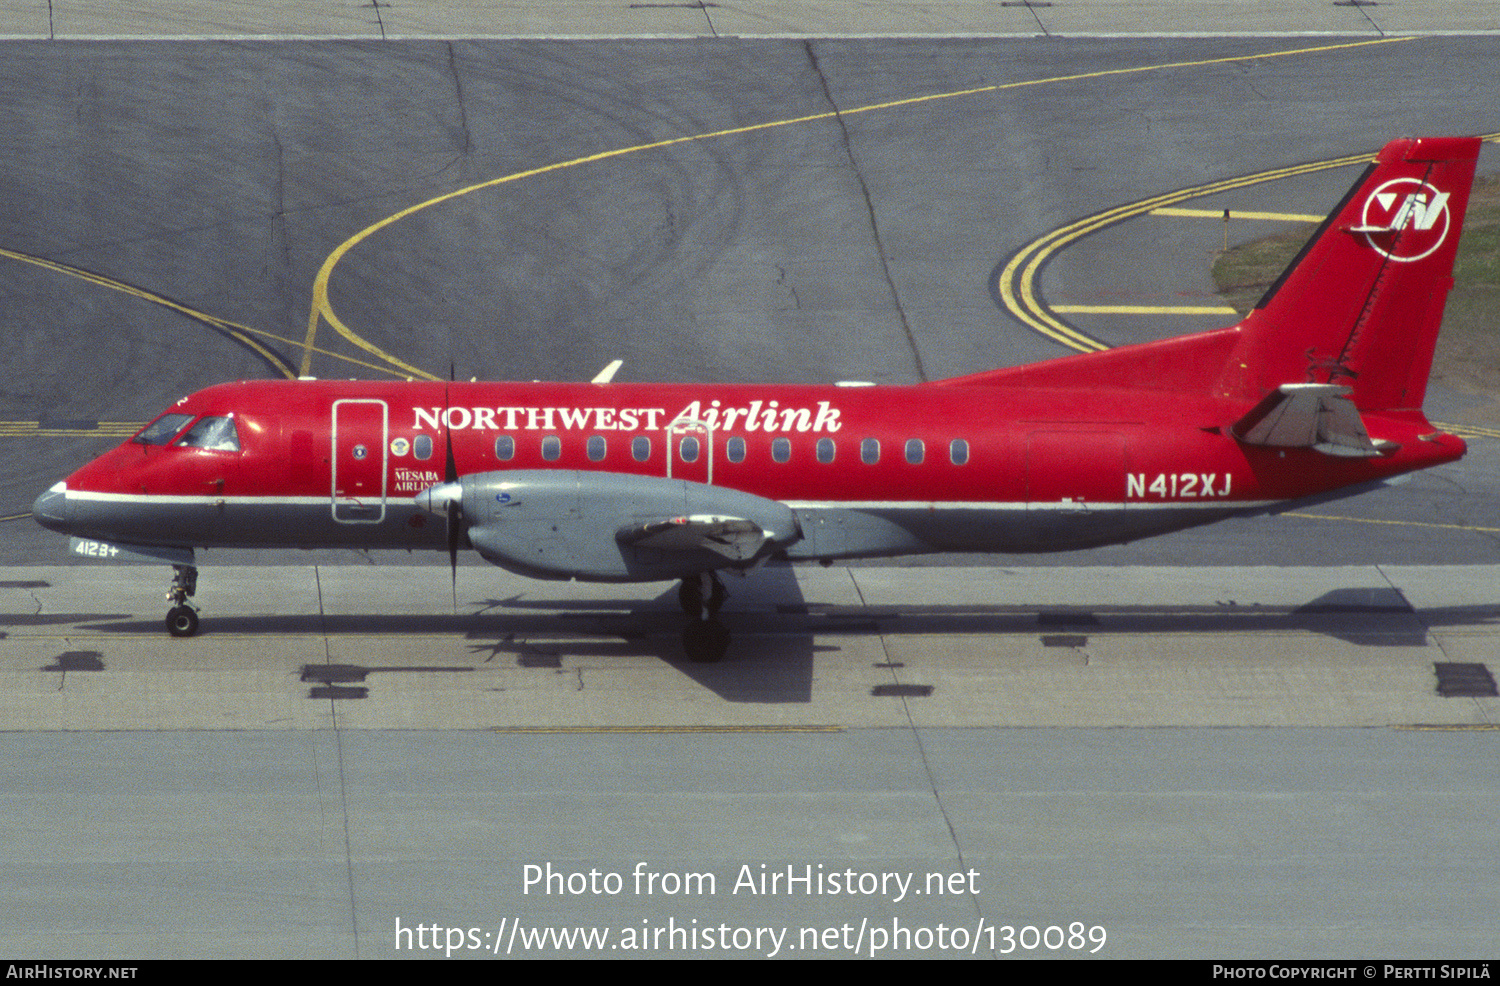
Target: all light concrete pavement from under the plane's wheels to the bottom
{"x":1229,"y":763}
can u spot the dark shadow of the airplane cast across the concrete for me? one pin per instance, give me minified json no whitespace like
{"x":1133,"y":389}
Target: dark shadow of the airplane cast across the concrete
{"x":779,"y":636}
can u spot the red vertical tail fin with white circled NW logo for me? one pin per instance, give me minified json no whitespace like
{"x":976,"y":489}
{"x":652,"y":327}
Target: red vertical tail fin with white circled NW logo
{"x":1363,"y":302}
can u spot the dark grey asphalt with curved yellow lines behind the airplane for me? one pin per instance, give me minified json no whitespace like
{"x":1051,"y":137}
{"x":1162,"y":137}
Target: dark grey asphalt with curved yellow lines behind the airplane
{"x":821,"y":211}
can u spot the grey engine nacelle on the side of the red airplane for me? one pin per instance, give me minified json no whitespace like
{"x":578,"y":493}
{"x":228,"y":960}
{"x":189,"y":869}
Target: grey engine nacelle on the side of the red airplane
{"x":617,"y":529}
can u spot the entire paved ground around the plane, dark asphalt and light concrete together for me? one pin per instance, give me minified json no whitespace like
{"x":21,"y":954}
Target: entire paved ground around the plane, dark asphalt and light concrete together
{"x":353,"y":747}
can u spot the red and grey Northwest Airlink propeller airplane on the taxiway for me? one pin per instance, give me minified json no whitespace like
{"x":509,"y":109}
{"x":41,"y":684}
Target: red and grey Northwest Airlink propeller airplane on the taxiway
{"x":1318,"y":392}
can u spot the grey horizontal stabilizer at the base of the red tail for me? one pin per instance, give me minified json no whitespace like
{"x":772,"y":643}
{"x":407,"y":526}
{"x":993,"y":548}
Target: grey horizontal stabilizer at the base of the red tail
{"x":1310,"y":416}
